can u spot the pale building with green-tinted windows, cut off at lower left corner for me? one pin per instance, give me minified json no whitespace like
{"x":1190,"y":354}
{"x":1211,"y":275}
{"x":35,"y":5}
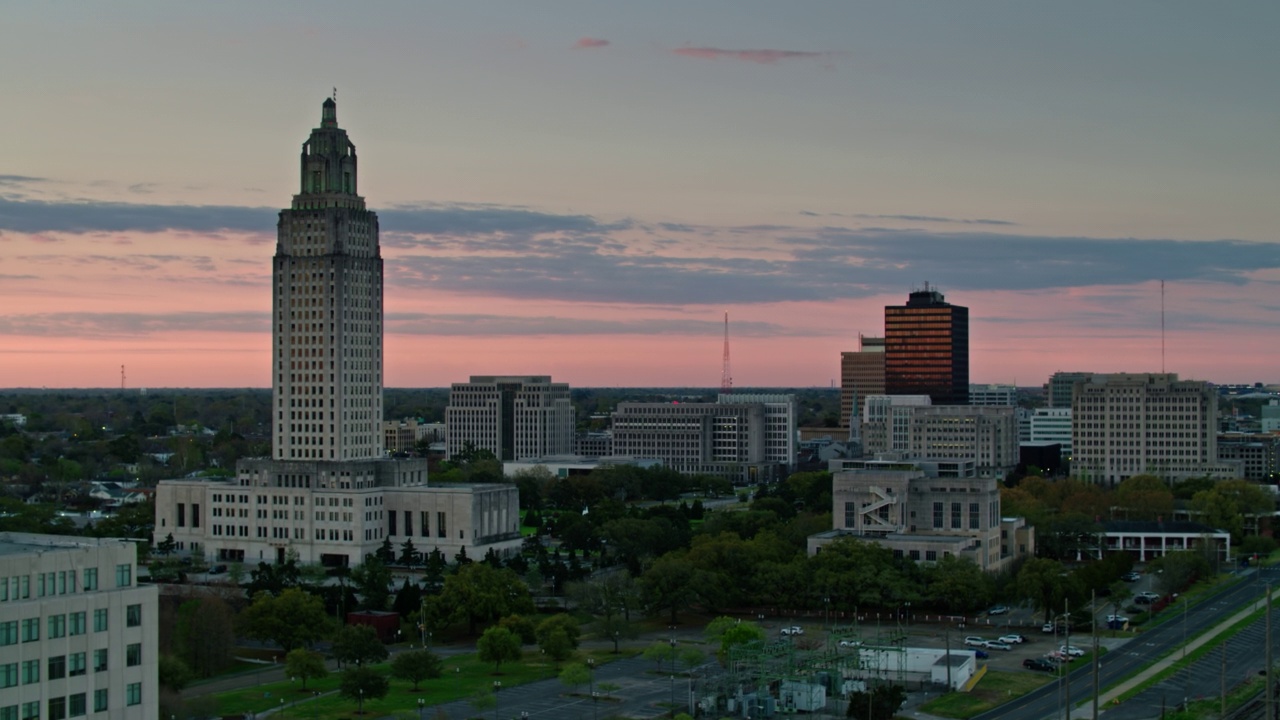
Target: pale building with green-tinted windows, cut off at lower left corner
{"x":83,"y":636}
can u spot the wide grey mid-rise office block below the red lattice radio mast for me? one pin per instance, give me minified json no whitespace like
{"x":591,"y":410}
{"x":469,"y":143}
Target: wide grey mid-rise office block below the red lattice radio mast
{"x":744,"y":439}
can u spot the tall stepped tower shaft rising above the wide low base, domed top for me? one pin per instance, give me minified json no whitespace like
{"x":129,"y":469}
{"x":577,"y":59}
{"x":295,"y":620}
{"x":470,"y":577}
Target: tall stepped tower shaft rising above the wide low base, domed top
{"x":328,"y":309}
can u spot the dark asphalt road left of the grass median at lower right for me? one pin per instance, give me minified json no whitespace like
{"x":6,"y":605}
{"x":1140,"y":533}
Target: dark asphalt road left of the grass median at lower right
{"x":1136,"y":655}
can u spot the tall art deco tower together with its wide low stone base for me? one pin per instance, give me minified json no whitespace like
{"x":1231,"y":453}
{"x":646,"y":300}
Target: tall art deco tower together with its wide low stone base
{"x":328,"y":494}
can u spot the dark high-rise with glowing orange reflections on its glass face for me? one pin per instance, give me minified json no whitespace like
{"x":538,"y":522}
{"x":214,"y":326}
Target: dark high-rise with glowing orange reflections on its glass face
{"x":927,"y":349}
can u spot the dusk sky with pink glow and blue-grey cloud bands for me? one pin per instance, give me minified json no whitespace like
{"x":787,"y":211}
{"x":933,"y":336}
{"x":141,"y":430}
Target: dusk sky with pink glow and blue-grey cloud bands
{"x":586,"y":189}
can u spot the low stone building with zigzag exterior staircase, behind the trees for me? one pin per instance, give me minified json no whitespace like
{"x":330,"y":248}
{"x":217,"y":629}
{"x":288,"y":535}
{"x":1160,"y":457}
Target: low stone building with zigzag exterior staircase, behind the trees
{"x":925,"y":512}
